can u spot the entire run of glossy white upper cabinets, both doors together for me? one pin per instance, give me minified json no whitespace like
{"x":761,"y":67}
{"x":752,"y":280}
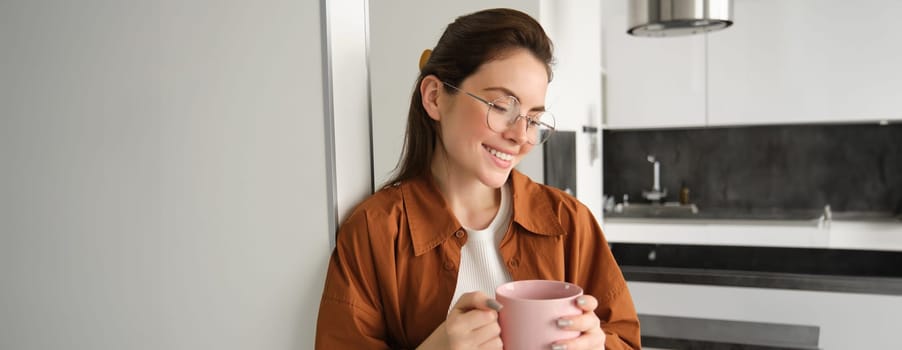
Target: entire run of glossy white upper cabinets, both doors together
{"x":799,"y":61}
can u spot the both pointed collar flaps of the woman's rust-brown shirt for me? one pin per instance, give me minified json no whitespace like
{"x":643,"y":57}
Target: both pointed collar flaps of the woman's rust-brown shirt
{"x":431,"y":221}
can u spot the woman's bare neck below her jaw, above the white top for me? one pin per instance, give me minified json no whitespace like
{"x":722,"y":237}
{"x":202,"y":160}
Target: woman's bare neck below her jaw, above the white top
{"x":473,"y":203}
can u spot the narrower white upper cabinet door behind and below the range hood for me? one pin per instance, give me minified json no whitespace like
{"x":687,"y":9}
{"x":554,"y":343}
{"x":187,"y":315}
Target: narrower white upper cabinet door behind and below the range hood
{"x":650,"y":82}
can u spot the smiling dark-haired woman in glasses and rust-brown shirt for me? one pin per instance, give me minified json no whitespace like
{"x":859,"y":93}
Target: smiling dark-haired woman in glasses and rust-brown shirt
{"x":416,"y":264}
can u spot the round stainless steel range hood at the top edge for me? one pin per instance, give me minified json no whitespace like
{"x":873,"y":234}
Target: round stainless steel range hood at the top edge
{"x":663,"y":18}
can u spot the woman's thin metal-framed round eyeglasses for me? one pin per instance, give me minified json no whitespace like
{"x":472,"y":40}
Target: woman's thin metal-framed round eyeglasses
{"x":504,"y":112}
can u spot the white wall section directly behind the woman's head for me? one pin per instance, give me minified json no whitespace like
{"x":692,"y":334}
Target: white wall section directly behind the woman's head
{"x":399,"y":32}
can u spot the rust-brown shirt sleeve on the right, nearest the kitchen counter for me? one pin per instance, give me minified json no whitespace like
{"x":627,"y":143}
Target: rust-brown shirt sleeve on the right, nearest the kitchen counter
{"x":596,"y":270}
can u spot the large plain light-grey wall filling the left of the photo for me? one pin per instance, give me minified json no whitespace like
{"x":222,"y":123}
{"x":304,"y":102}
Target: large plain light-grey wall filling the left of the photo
{"x":162,"y":182}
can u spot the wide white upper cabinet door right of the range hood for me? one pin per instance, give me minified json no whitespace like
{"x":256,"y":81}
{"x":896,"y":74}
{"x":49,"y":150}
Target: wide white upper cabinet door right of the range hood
{"x":806,"y":61}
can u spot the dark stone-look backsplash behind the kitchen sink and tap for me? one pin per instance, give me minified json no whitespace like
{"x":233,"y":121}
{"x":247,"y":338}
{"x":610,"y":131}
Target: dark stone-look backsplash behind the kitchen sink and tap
{"x":789,"y":167}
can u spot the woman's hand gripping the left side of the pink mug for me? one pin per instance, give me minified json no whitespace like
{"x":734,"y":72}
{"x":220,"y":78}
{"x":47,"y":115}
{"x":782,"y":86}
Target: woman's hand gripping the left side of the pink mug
{"x":472,"y":324}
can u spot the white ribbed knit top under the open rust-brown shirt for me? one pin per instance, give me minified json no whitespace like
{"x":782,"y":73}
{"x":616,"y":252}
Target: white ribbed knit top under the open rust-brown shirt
{"x":481,"y":266}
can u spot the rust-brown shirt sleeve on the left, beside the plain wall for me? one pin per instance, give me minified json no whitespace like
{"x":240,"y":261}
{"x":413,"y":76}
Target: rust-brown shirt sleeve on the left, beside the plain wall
{"x":350,"y":315}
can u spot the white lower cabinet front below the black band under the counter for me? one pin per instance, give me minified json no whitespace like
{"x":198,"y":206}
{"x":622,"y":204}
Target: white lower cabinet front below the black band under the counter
{"x":846,"y":320}
